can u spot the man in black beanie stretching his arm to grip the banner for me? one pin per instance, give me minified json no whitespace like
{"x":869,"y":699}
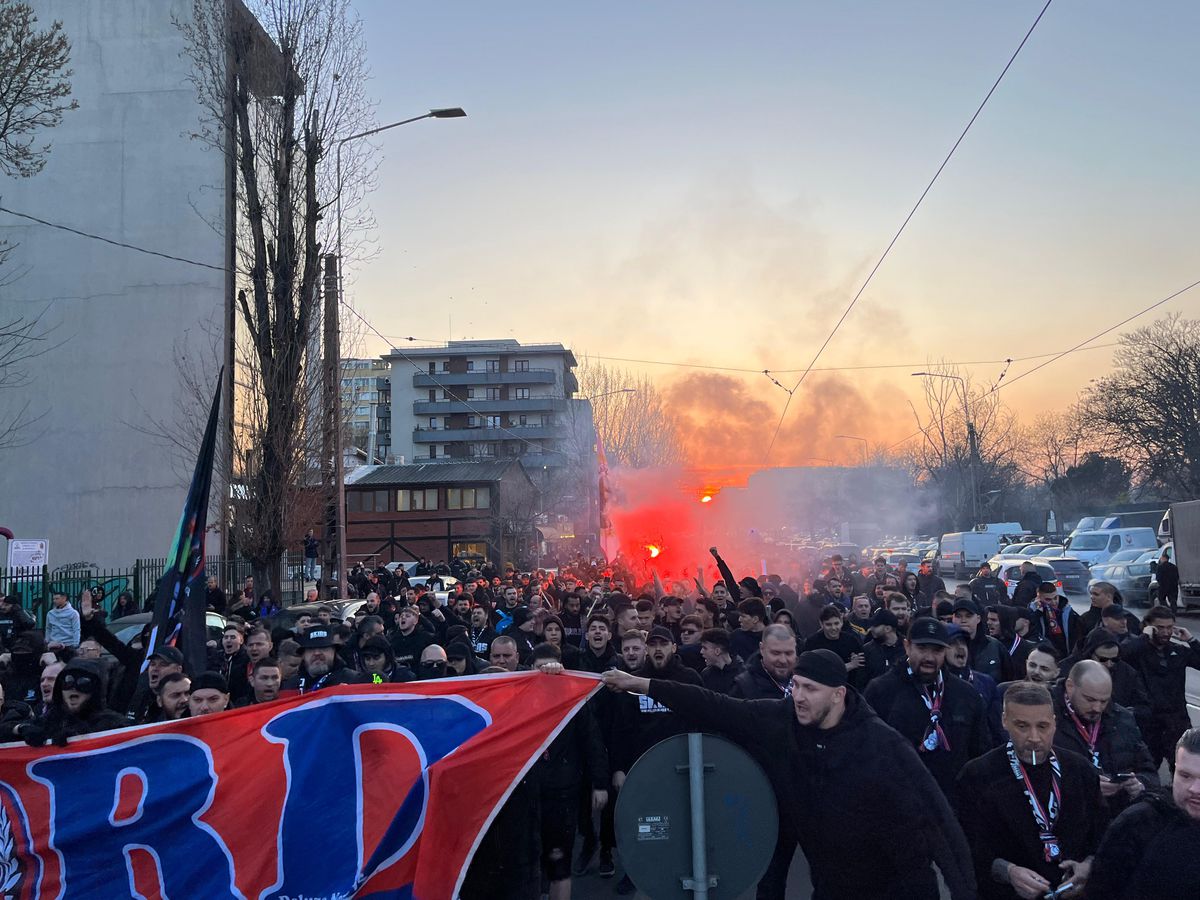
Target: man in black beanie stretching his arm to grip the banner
{"x":839,"y":773}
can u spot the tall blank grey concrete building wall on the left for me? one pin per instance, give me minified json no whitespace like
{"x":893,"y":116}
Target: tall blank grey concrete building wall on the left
{"x":123,"y":166}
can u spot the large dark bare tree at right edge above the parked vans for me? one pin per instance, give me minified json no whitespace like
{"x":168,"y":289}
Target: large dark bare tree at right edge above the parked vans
{"x":1148,"y":411}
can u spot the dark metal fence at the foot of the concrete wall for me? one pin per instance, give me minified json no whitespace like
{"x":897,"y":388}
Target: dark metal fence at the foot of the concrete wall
{"x":34,"y":587}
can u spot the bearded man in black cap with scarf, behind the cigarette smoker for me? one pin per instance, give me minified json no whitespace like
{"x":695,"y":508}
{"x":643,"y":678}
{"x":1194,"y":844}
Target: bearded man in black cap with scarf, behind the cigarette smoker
{"x":941,"y":717}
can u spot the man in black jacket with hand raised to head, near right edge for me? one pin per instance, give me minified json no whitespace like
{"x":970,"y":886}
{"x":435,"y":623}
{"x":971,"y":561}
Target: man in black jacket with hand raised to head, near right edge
{"x":1162,"y":656}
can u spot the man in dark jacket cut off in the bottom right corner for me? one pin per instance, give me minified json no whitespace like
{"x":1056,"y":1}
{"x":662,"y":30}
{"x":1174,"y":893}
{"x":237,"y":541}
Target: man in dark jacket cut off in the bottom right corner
{"x":1153,"y":850}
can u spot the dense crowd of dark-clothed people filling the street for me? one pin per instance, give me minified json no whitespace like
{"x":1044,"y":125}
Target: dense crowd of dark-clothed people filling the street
{"x":997,"y":735}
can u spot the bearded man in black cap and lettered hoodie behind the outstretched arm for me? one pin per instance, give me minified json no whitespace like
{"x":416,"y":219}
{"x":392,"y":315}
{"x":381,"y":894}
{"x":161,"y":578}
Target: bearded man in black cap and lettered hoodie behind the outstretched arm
{"x":641,"y":723}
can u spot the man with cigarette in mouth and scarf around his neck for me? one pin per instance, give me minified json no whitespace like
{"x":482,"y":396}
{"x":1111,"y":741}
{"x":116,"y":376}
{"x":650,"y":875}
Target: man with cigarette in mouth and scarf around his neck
{"x":1034,"y":817}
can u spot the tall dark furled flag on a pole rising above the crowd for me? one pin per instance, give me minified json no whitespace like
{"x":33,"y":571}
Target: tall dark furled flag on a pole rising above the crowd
{"x":181,"y":597}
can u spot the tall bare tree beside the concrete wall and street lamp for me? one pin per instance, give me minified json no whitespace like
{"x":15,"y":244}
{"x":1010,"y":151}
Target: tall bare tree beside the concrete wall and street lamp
{"x":283,"y":82}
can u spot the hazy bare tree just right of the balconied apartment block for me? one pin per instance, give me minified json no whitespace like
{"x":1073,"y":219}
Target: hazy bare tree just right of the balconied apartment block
{"x":632,"y":418}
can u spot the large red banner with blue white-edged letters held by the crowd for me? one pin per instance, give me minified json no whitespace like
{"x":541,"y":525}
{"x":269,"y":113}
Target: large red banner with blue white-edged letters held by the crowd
{"x":364,"y":791}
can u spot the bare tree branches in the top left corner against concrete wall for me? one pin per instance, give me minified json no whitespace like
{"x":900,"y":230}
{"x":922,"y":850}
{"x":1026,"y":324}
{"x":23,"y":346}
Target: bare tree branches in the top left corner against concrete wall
{"x":35,"y":85}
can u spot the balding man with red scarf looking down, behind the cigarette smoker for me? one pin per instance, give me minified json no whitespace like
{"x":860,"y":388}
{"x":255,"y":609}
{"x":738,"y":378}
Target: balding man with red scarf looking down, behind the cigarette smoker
{"x":1107,"y":735}
